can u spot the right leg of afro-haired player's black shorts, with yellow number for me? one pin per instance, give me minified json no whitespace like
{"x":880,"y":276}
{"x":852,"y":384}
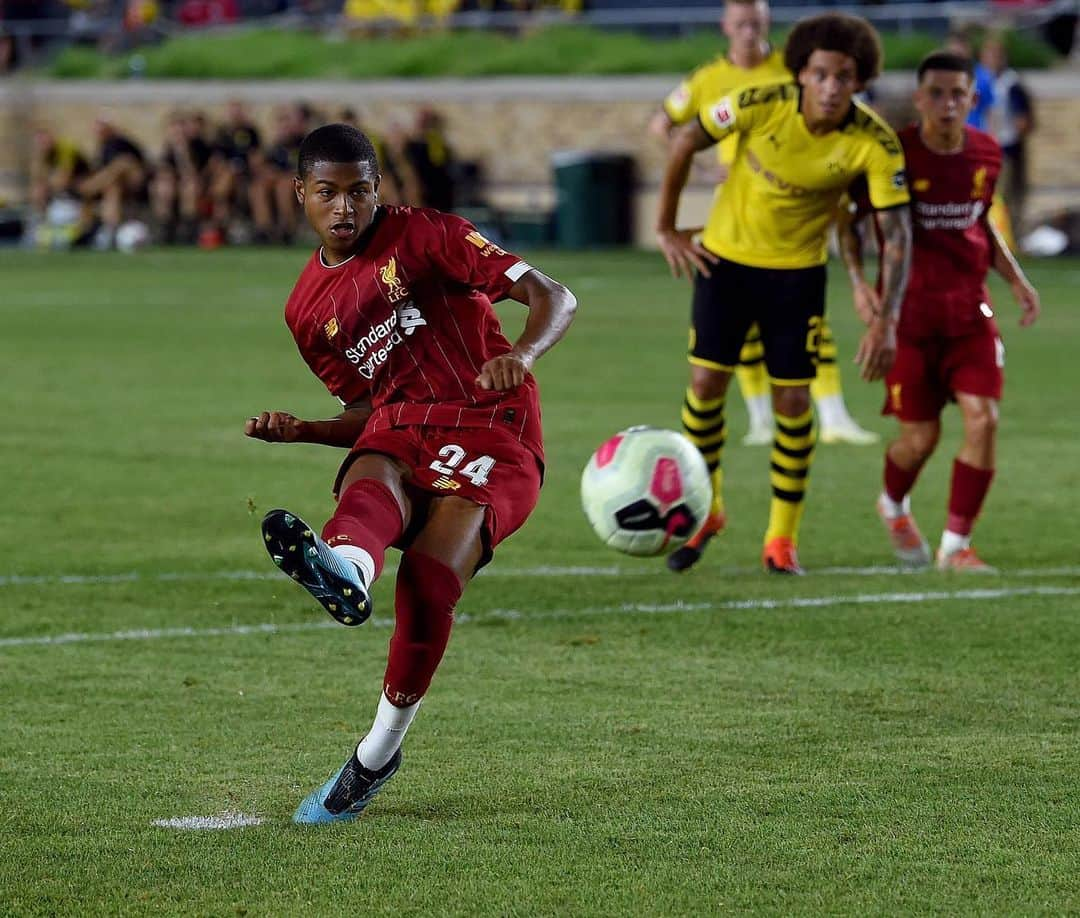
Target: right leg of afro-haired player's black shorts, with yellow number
{"x":792,"y":312}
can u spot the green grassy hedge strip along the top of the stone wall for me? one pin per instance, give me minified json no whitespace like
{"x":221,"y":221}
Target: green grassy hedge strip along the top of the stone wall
{"x":568,"y":50}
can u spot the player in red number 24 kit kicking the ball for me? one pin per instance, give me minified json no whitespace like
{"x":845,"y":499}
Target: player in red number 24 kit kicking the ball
{"x":442,"y":420}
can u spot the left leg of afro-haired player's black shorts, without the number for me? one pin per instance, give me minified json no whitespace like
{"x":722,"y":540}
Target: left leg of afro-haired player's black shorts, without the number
{"x":722,"y":314}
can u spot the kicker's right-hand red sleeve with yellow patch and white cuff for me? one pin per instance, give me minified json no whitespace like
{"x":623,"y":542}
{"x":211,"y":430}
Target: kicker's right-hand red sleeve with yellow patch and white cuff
{"x":461,"y":254}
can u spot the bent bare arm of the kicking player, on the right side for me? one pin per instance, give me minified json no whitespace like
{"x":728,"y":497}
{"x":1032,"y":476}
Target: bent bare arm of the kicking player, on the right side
{"x":551,"y":309}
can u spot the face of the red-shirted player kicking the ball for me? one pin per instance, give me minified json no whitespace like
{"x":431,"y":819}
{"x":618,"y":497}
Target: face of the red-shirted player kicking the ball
{"x":339,"y":200}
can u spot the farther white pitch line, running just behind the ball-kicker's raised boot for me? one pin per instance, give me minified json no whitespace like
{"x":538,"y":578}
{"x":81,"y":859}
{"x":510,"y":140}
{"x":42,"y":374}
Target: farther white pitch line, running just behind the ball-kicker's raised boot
{"x":645,"y":570}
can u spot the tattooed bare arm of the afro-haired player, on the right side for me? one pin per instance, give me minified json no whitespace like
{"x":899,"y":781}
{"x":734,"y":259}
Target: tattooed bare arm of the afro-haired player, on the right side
{"x":879,"y":347}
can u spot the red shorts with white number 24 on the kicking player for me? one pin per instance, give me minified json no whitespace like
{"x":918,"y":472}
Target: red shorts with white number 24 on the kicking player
{"x":489,"y":467}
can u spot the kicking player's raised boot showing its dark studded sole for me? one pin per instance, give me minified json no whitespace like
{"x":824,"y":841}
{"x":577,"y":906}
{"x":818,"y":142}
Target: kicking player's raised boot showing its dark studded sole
{"x":335,"y":583}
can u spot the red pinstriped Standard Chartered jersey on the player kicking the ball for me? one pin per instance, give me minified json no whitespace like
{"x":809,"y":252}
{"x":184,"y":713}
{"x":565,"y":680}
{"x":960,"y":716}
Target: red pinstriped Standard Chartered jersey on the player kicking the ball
{"x":408,"y":322}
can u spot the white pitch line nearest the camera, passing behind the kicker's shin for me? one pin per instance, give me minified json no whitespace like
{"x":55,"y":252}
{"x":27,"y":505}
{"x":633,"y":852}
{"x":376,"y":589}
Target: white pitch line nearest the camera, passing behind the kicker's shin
{"x":520,"y":615}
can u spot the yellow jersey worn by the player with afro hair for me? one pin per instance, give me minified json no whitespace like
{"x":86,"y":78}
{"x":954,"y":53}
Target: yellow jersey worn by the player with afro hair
{"x":786,"y":183}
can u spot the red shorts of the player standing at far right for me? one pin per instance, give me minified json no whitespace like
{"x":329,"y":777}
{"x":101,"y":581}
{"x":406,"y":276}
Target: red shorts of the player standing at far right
{"x":929,"y":373}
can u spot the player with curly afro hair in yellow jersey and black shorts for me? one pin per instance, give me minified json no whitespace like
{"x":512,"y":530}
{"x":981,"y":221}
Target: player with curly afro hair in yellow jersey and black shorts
{"x":762,"y":258}
